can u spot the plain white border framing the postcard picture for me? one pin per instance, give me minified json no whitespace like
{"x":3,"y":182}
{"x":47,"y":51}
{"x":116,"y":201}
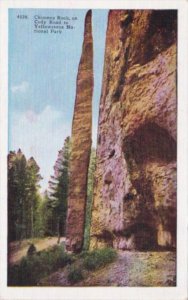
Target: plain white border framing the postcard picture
{"x":169,"y":293}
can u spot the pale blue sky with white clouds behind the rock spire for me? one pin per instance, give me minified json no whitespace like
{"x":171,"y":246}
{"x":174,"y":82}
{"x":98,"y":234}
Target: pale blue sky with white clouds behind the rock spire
{"x":42,"y":81}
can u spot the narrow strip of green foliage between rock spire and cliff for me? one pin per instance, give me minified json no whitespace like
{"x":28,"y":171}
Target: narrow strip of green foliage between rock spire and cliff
{"x":90,"y":185}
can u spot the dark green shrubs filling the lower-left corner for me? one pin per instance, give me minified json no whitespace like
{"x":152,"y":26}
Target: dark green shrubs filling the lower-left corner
{"x":32,"y":268}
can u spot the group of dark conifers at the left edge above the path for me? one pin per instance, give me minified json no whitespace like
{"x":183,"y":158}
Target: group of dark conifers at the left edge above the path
{"x":23,"y":196}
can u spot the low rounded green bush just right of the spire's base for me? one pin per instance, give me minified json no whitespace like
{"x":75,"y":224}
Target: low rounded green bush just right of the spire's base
{"x":99,"y":258}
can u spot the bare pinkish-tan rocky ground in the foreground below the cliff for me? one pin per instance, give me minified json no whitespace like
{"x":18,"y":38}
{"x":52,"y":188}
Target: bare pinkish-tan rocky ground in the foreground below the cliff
{"x":131,"y":269}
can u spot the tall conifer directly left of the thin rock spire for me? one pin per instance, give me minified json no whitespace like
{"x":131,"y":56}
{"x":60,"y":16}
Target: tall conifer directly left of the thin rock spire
{"x":58,"y":190}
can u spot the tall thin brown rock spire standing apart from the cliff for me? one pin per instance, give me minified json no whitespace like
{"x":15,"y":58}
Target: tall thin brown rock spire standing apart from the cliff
{"x":80,"y":144}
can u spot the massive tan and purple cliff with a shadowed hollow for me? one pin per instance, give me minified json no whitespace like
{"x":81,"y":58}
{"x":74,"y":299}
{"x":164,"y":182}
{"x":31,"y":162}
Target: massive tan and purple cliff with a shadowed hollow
{"x":135,"y":184}
